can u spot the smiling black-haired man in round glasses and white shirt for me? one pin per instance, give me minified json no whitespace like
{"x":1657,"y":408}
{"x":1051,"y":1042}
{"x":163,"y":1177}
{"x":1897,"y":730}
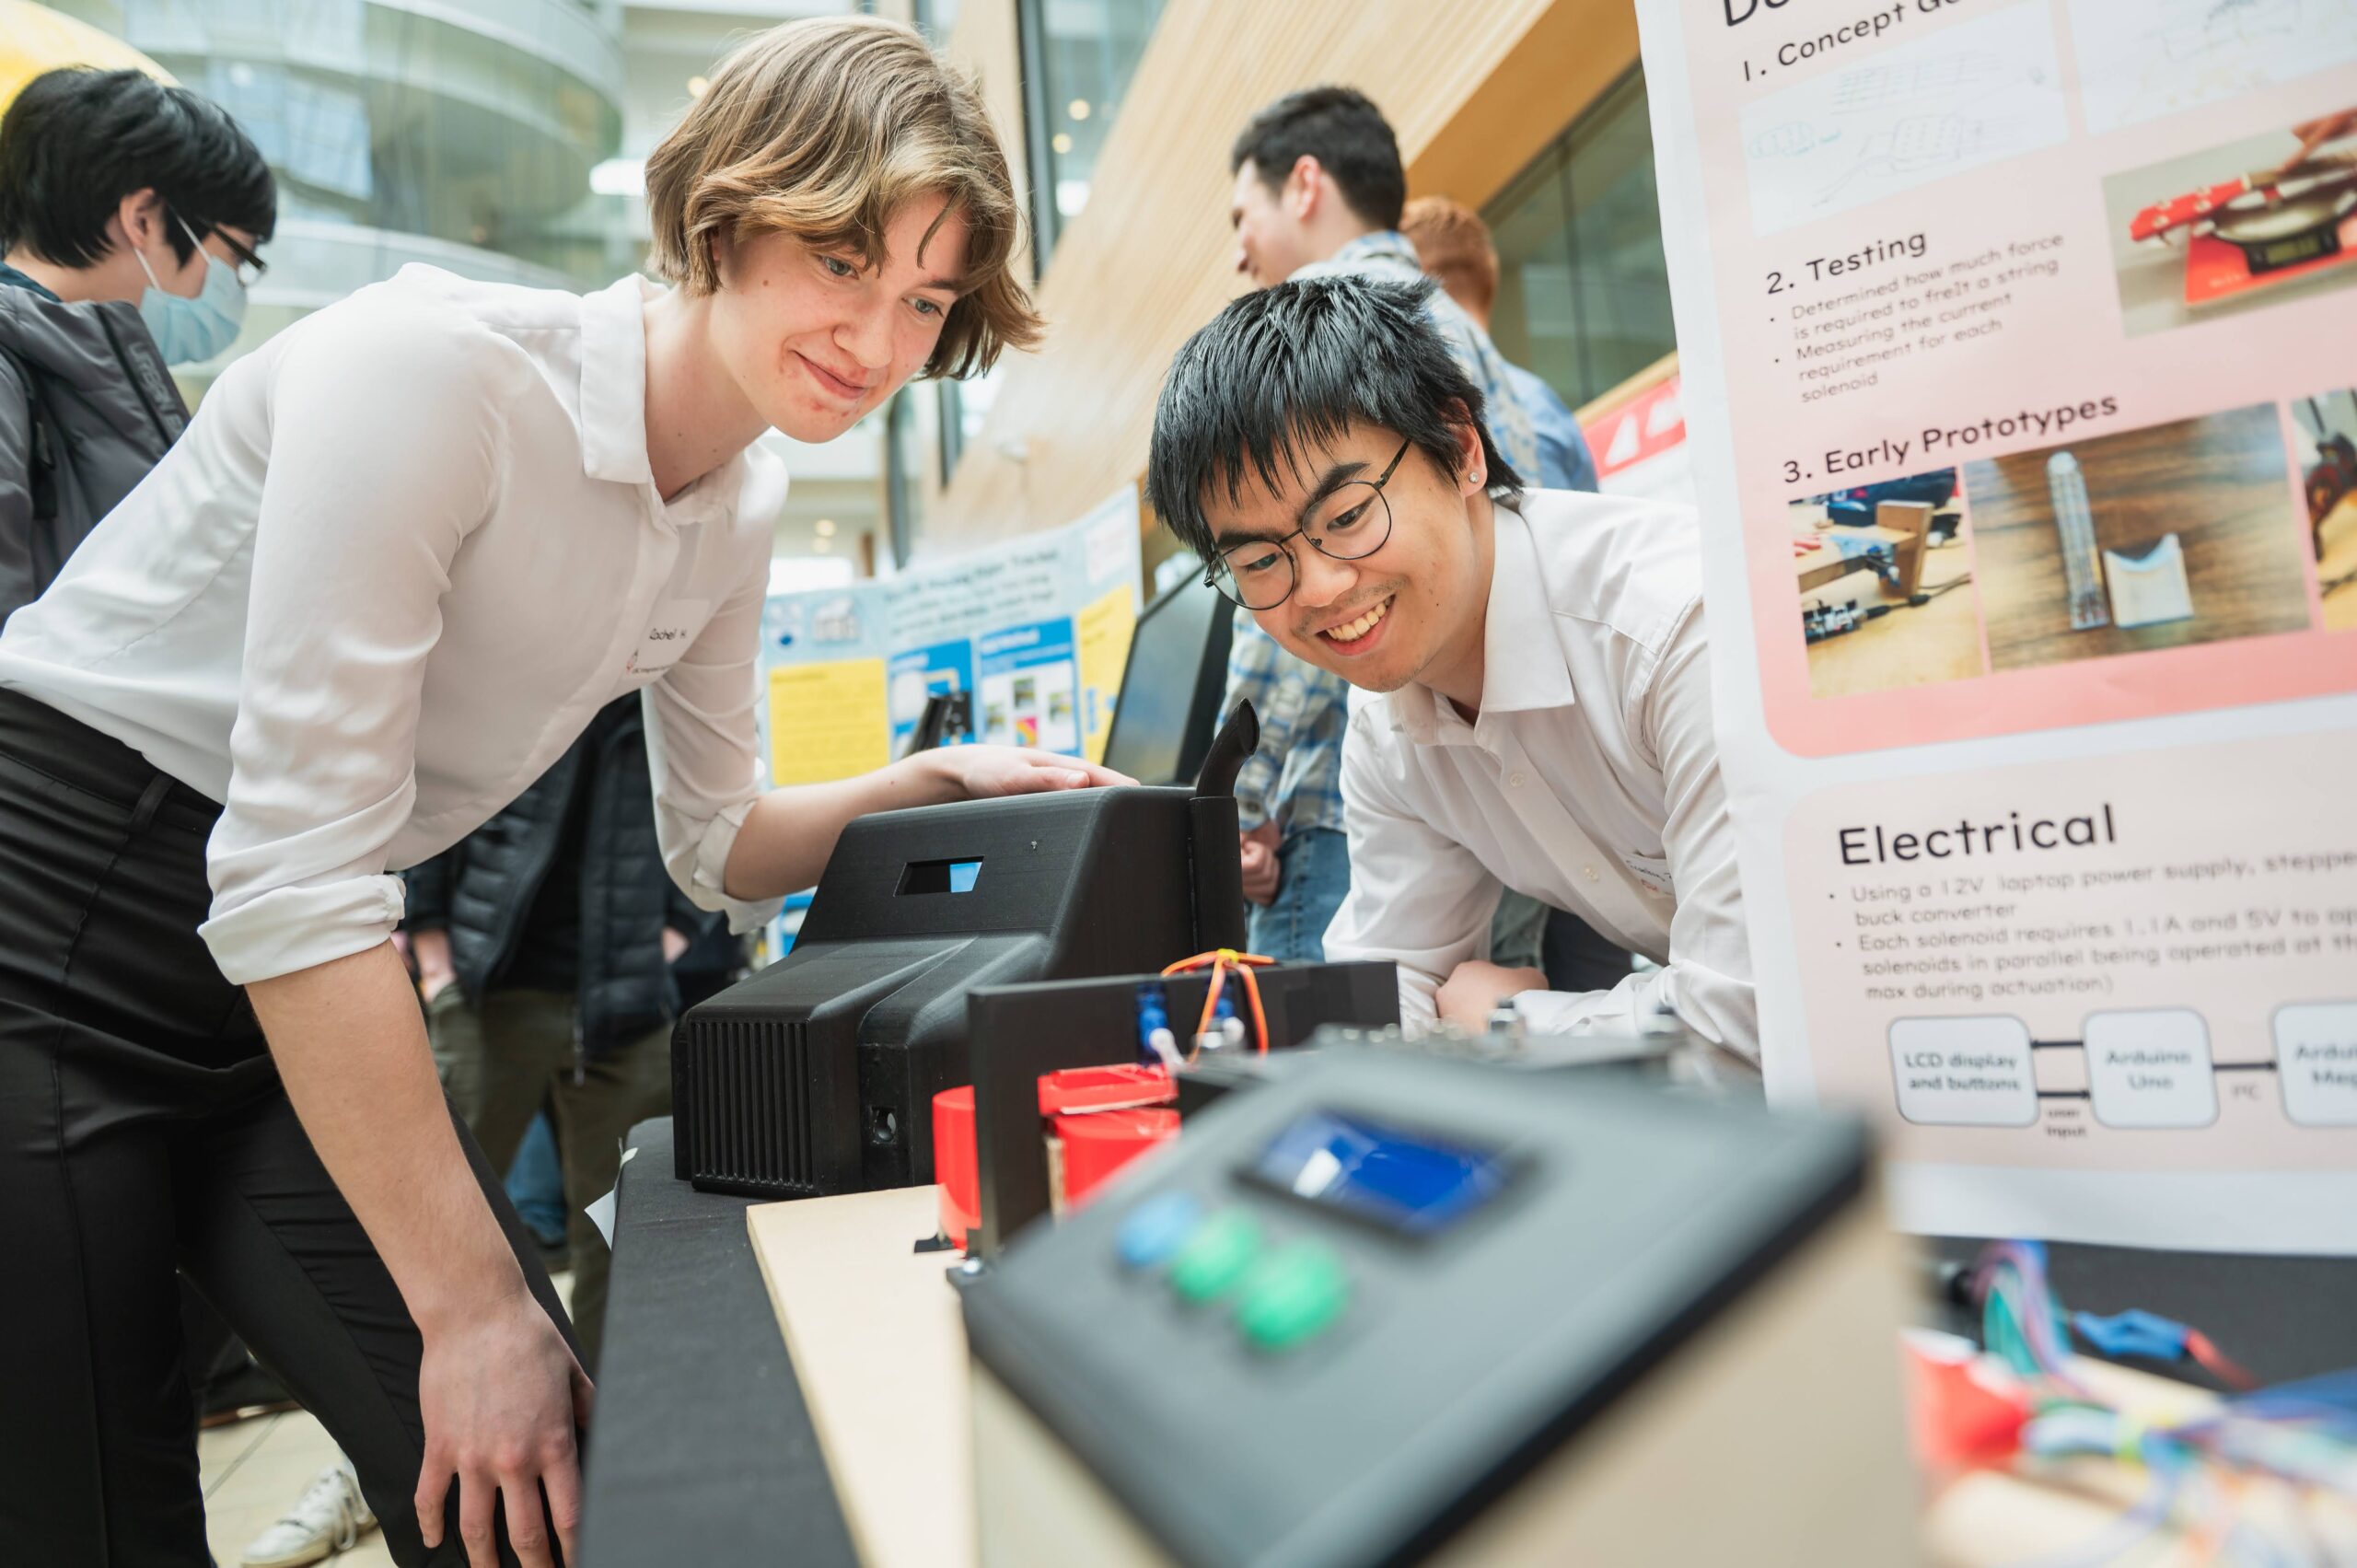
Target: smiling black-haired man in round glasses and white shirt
{"x":1533,"y":676}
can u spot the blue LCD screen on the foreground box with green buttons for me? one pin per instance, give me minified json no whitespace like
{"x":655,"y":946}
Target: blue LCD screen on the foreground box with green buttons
{"x":1406,"y":1182}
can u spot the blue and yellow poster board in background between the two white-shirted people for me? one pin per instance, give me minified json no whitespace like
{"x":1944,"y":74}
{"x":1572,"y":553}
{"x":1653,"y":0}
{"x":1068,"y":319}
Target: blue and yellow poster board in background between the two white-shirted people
{"x":1038,"y":631}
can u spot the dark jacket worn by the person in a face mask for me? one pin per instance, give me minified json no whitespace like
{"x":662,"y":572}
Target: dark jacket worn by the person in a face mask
{"x":86,"y":411}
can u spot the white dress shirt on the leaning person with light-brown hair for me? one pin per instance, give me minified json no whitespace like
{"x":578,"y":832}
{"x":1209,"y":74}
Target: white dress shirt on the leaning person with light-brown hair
{"x":397,"y":562}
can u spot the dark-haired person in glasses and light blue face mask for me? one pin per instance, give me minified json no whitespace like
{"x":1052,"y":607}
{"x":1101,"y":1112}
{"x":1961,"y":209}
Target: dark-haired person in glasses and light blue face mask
{"x":128,"y":213}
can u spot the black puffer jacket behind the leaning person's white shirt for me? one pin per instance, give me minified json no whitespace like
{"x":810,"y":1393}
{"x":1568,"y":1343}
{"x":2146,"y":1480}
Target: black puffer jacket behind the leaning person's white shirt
{"x":484,"y":885}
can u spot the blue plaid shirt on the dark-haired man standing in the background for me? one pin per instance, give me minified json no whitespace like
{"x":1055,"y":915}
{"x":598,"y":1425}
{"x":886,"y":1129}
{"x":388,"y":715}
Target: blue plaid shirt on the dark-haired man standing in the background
{"x":1295,"y":779}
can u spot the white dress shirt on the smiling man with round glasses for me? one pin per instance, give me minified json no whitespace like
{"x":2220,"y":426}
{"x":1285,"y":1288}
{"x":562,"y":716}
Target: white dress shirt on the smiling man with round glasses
{"x":1590,"y":779}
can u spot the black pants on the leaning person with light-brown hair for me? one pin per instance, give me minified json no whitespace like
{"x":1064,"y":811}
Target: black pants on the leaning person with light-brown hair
{"x":143,"y":1135}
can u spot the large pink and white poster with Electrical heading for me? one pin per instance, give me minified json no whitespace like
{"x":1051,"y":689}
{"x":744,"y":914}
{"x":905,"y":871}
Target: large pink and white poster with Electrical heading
{"x":2019,"y":395}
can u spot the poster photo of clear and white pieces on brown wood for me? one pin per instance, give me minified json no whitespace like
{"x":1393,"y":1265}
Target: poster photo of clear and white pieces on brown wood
{"x":2148,"y":539}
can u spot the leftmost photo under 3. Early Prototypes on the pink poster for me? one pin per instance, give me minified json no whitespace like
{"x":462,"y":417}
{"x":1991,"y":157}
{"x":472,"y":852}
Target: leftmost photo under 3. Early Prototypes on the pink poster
{"x":1880,"y":572}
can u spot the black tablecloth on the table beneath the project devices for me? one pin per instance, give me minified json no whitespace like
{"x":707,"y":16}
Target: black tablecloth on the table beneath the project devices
{"x":704,"y":1449}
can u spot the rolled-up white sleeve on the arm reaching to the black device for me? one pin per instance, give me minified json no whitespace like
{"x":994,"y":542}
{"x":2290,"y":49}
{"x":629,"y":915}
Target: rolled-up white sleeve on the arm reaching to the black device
{"x":704,"y":749}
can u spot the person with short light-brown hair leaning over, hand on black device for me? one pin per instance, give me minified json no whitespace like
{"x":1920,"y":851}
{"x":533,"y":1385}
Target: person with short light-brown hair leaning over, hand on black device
{"x":397,"y":565}
